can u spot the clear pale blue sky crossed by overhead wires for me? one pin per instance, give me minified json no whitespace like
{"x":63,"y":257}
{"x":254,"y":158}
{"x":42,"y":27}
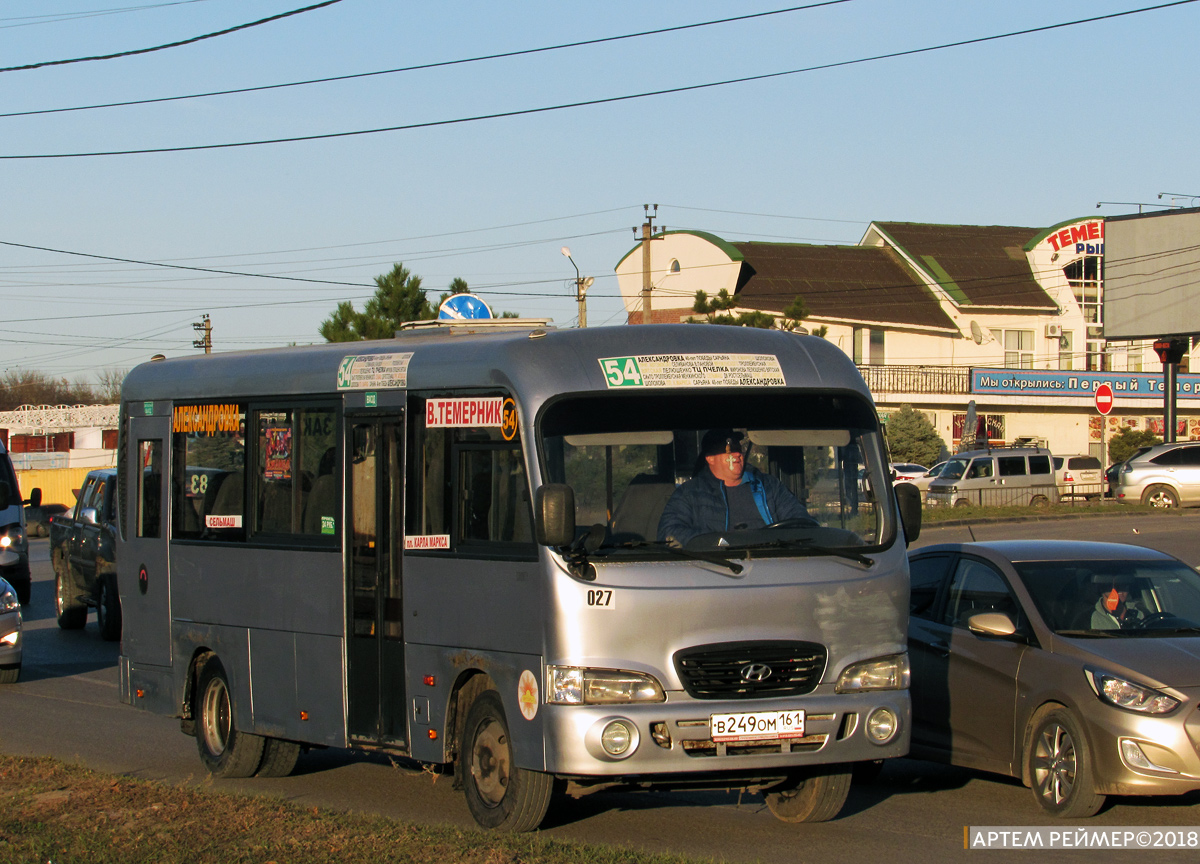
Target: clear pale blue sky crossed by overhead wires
{"x":1029,"y":131}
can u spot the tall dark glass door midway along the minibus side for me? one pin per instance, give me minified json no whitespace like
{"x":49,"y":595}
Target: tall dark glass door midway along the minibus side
{"x":375,"y":634}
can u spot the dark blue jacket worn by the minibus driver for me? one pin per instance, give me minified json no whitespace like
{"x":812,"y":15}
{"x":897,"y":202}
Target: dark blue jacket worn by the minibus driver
{"x":701,"y":506}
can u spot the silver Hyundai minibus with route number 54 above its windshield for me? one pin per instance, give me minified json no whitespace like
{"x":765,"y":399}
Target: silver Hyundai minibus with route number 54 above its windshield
{"x":449,"y":545}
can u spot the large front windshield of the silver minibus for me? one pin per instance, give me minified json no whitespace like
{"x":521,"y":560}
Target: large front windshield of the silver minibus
{"x":818,"y":459}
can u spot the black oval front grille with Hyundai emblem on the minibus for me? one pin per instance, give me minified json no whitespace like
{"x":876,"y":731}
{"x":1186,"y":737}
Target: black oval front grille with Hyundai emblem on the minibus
{"x":751,"y":670}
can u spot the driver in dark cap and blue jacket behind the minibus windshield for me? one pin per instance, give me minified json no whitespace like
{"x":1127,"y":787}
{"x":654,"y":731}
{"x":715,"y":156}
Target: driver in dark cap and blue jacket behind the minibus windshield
{"x":725,"y":494}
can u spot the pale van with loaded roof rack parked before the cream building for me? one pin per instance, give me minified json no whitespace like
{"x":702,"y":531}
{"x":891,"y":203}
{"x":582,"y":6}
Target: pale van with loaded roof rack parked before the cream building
{"x":997,"y":477}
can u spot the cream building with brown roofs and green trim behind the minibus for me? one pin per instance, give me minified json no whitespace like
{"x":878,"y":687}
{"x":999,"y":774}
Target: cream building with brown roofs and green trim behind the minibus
{"x":941,"y":316}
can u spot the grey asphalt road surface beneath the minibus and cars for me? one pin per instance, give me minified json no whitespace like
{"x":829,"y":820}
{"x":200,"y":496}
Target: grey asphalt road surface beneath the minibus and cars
{"x":68,"y":706}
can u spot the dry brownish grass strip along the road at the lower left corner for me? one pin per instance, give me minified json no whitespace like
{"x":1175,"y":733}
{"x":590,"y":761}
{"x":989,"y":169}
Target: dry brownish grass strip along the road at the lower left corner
{"x":59,"y":813}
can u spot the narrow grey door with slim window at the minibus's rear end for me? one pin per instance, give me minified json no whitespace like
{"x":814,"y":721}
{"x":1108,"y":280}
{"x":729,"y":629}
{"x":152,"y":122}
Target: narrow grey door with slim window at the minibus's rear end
{"x":143,"y":583}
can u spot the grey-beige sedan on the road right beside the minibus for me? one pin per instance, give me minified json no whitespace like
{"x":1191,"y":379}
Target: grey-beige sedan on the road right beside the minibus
{"x":1069,"y":665}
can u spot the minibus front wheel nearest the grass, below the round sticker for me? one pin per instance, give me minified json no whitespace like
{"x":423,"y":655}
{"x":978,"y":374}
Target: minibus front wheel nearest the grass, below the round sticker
{"x":500,"y":795}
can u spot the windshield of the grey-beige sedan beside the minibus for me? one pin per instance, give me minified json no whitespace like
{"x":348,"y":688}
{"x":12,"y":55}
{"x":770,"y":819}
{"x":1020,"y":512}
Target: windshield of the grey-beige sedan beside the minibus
{"x":1115,"y":598}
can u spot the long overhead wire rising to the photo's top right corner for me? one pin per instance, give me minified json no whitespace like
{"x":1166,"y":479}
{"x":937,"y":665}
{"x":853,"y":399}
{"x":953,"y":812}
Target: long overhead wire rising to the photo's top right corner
{"x":610,"y":100}
